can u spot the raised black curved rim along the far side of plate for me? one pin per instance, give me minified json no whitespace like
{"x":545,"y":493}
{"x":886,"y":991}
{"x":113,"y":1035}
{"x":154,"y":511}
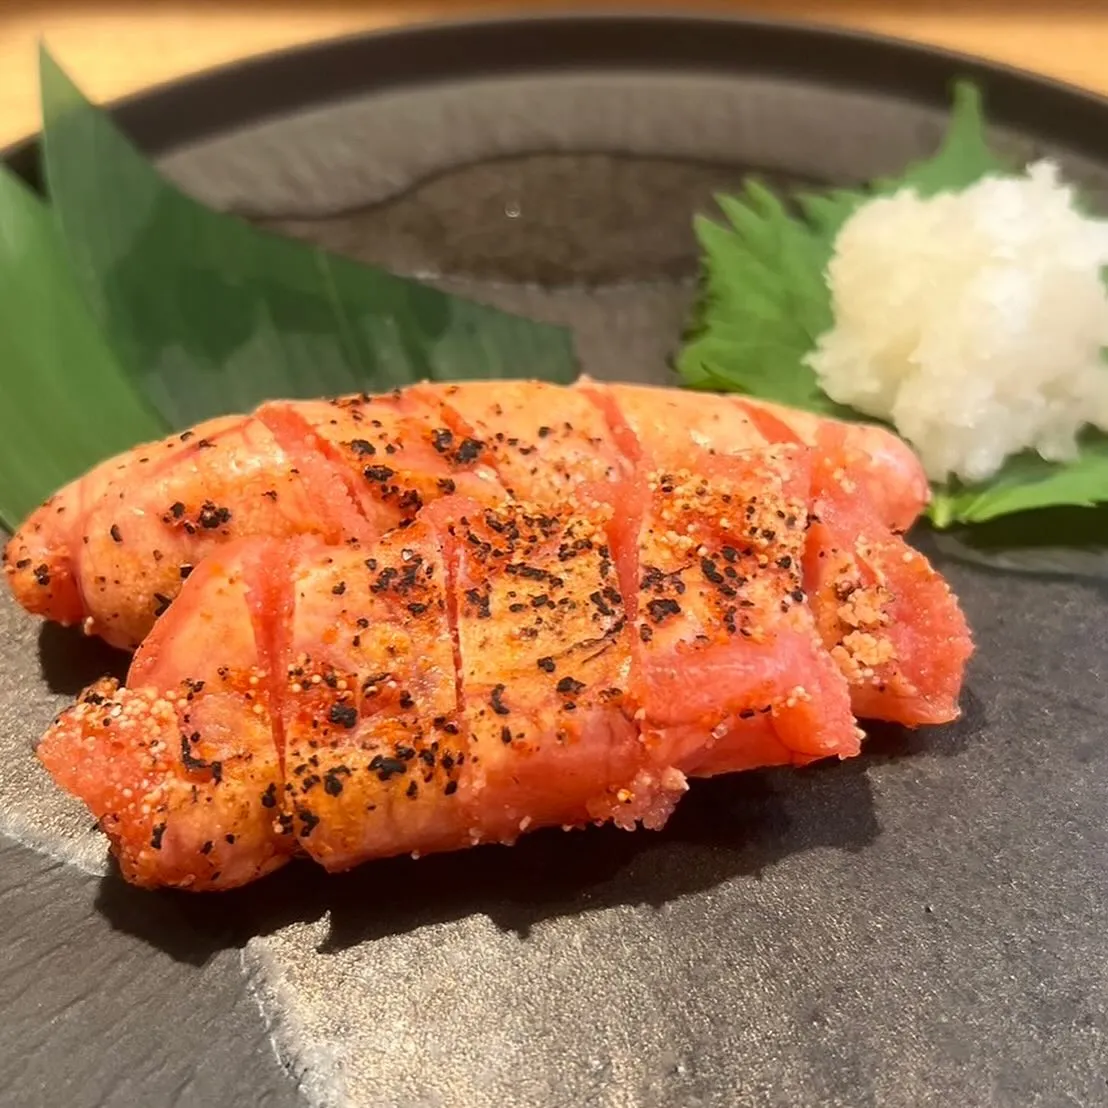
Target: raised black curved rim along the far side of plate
{"x":248,"y":91}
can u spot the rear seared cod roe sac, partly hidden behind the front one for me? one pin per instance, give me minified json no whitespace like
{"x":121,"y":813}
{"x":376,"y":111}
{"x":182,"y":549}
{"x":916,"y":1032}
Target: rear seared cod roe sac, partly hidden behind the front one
{"x":111,"y":550}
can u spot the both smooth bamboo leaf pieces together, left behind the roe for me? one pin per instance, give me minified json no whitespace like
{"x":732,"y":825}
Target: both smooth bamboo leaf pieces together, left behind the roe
{"x":130,"y":310}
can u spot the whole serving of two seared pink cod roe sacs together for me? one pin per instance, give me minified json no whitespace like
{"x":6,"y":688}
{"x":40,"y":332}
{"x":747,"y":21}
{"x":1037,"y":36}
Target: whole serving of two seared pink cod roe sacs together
{"x":449,"y":617}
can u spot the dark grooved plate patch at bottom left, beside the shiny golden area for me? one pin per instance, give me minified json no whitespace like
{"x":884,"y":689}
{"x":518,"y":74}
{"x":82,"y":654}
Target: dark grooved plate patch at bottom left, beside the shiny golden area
{"x":96,"y":1018}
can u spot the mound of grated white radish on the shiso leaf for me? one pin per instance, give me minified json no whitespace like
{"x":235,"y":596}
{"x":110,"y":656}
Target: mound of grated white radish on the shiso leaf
{"x":973,"y":322}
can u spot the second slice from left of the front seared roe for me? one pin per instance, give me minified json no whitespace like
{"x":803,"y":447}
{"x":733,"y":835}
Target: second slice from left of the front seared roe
{"x":374,"y":752}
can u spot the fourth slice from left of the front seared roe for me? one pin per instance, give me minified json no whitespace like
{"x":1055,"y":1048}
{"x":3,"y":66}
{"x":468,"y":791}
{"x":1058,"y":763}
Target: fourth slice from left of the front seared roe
{"x":730,"y":671}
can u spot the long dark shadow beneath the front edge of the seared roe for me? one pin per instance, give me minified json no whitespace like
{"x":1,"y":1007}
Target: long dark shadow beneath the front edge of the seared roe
{"x":727,"y":828}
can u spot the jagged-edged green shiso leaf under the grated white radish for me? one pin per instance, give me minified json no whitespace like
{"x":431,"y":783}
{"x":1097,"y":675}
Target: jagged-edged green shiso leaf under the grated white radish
{"x":765,"y":302}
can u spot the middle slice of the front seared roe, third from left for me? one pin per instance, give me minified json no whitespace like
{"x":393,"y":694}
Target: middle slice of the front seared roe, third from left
{"x":545,"y":665}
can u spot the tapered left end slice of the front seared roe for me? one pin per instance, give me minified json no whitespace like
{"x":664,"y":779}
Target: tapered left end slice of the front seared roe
{"x":180,"y":767}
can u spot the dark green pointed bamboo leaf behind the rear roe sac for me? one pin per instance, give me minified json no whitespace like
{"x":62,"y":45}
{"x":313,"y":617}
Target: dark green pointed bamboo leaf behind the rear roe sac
{"x":211,"y":315}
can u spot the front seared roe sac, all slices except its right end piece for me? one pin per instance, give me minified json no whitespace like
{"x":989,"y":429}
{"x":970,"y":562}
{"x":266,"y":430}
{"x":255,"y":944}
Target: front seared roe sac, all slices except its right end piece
{"x":475,"y":675}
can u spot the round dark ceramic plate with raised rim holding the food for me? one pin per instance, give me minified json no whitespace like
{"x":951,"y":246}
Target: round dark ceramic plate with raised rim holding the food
{"x":928,"y":925}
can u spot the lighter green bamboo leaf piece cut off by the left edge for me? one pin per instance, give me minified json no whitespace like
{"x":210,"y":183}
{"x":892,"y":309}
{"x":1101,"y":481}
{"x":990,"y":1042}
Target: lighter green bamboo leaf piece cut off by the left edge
{"x":67,"y":403}
